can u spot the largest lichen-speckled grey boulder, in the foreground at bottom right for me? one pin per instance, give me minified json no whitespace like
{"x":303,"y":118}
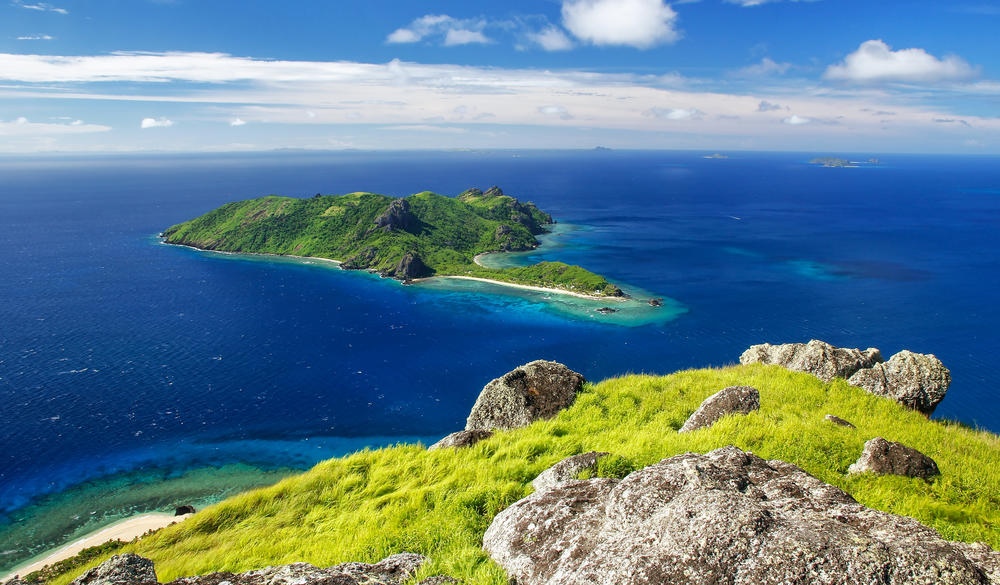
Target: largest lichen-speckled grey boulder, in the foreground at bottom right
{"x":727,"y":517}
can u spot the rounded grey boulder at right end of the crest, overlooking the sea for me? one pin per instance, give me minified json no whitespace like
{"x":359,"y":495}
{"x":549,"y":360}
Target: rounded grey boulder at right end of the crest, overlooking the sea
{"x":916,"y":380}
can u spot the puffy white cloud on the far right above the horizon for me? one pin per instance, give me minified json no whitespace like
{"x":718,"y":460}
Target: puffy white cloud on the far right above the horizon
{"x":875,"y":62}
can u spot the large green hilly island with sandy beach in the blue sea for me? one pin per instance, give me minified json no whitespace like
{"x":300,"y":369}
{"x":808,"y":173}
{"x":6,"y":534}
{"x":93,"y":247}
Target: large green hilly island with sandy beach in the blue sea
{"x":411,"y":238}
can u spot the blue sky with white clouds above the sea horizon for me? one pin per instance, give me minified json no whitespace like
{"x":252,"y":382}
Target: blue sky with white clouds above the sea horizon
{"x":850,"y":76}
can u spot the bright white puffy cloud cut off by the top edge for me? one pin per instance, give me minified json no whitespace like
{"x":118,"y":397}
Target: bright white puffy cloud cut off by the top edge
{"x":635,"y":23}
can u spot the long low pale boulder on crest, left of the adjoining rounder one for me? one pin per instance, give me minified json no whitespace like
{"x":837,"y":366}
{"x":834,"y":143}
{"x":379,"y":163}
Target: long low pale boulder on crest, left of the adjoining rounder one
{"x":818,"y":358}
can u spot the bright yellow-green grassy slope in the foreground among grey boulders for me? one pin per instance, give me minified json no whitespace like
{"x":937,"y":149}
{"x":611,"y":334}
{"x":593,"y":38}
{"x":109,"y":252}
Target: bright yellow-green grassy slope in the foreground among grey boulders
{"x":375,"y":503}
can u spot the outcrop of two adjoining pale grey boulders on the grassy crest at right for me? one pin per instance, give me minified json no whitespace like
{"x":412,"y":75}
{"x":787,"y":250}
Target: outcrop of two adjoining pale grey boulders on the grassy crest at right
{"x":915,"y":380}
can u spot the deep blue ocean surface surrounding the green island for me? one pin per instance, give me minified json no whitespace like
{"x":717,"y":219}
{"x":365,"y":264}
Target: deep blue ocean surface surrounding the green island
{"x":136,"y":375}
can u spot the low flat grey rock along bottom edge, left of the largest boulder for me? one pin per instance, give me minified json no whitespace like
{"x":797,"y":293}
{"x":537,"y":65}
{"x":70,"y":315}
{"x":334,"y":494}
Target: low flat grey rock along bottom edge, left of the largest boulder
{"x":392,"y":570}
